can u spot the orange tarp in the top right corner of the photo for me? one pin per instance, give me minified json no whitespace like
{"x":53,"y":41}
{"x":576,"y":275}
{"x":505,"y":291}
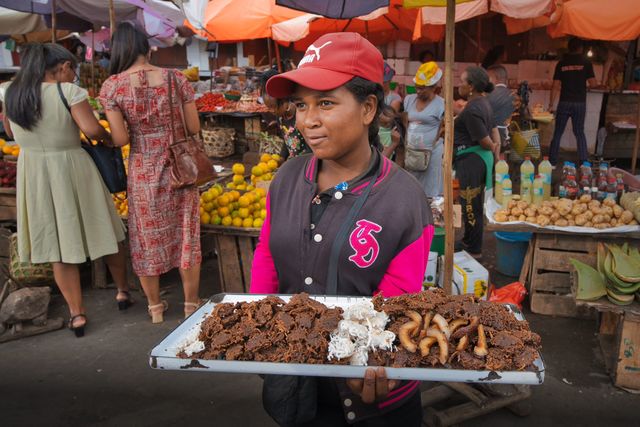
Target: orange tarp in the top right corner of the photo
{"x":598,"y":20}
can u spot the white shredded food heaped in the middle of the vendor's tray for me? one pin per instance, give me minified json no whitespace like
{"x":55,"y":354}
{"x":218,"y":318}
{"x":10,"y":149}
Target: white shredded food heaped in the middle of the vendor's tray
{"x":361,"y":330}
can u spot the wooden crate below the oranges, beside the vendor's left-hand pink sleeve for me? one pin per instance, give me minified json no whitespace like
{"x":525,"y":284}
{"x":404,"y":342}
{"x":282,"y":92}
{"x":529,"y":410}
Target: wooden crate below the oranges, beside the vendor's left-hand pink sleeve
{"x":235,"y":247}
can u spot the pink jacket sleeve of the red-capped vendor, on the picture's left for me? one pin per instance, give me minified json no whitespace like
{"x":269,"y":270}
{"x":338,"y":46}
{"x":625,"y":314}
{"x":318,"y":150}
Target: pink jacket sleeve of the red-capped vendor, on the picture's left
{"x":264,"y":277}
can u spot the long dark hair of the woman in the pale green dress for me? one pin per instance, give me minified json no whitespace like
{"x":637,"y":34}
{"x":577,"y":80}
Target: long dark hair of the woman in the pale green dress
{"x":22,"y":101}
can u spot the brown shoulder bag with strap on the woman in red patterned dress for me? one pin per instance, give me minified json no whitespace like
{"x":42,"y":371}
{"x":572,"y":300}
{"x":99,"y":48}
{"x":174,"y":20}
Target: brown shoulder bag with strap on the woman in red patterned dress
{"x":190,"y":165}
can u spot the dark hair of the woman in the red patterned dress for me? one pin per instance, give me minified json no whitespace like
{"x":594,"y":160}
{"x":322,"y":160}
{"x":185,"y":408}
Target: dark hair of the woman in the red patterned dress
{"x":127,"y":44}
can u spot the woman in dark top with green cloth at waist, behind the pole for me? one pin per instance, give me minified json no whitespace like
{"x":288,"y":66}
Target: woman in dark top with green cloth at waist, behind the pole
{"x":474,"y":139}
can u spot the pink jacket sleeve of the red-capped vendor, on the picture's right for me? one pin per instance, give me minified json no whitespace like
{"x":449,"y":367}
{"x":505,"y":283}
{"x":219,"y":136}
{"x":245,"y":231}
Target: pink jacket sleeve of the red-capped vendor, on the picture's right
{"x":406,"y":271}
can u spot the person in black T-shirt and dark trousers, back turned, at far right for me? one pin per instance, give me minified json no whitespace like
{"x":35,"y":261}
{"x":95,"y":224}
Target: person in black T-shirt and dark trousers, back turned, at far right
{"x":570,"y":78}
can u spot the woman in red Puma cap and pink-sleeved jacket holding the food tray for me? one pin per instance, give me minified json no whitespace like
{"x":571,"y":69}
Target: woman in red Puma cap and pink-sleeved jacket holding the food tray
{"x":341,"y":221}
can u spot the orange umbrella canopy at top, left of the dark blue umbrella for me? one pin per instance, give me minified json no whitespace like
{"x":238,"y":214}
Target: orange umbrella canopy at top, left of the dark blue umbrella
{"x":229,"y":20}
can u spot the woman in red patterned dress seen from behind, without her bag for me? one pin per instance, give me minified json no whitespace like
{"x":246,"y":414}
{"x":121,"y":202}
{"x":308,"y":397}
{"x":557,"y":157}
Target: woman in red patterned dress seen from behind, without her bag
{"x":164,"y":224}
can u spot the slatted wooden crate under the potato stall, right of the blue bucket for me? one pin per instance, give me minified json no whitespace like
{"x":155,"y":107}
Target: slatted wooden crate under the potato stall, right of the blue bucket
{"x":551,"y":269}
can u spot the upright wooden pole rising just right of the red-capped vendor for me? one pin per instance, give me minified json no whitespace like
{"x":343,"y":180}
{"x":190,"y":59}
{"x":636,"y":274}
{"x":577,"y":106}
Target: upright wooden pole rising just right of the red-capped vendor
{"x":448,"y":145}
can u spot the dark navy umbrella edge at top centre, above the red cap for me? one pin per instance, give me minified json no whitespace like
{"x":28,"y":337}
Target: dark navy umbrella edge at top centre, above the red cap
{"x":336,"y":9}
